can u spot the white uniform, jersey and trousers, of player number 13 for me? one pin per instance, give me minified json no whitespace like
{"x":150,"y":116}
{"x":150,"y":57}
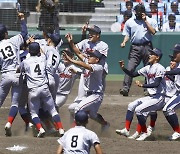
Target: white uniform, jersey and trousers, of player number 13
{"x":9,"y":61}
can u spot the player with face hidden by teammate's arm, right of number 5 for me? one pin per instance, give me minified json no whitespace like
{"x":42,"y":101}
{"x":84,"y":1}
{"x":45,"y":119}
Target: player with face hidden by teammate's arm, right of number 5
{"x":68,"y":73}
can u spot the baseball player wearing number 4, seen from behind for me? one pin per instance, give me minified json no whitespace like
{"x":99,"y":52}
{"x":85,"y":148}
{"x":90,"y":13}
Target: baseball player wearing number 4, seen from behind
{"x":37,"y":83}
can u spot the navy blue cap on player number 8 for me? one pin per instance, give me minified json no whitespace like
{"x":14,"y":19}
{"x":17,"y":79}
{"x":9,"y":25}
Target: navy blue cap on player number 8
{"x":81,"y":116}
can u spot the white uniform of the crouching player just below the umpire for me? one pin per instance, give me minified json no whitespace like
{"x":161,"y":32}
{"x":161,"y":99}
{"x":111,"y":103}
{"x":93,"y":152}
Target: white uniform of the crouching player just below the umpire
{"x":155,"y":101}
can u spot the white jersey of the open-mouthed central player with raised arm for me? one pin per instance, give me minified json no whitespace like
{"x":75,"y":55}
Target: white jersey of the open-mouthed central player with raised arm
{"x":86,"y":45}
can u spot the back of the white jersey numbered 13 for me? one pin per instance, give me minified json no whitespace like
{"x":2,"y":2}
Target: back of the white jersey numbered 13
{"x":8,"y":56}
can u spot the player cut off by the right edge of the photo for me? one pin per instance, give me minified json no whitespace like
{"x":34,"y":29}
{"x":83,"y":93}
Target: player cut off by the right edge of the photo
{"x":174,"y":103}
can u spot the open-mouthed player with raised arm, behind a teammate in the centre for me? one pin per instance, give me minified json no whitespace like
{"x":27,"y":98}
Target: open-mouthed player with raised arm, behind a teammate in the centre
{"x":91,"y":44}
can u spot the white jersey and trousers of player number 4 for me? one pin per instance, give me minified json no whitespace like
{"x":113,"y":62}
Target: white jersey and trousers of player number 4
{"x":37,"y":83}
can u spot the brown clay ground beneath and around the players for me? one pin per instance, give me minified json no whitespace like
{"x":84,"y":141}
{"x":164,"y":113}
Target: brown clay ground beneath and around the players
{"x":113,"y":109}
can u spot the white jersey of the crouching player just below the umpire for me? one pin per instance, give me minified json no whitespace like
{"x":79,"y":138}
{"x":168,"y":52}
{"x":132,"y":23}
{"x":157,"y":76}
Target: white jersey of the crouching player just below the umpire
{"x":151,"y":72}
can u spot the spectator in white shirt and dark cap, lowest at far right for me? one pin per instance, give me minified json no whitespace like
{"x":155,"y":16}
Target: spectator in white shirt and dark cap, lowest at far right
{"x":171,"y":25}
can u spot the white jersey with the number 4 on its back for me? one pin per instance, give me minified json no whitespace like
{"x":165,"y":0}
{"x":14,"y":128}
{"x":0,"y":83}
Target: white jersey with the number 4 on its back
{"x":35,"y":70}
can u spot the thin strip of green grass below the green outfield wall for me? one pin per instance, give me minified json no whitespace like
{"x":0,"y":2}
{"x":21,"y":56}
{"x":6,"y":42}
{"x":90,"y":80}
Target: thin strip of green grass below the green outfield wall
{"x":120,"y":77}
